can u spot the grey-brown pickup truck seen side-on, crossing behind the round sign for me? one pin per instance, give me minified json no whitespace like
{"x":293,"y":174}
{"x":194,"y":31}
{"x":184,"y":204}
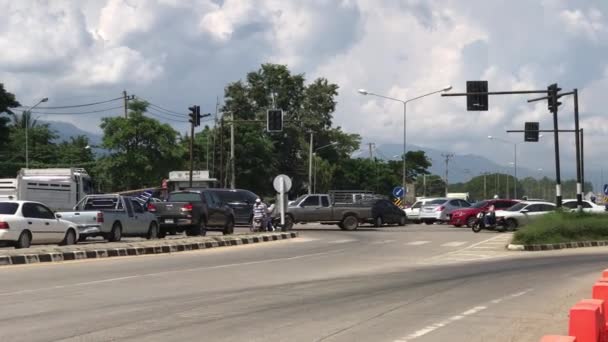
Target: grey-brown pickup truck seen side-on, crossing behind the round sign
{"x":329,"y":209}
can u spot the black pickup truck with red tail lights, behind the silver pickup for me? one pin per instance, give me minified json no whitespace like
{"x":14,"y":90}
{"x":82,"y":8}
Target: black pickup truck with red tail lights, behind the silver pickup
{"x":193,"y":212}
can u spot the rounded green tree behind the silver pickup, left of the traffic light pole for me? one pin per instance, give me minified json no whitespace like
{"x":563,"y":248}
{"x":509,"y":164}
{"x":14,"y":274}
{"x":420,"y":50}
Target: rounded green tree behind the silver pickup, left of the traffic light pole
{"x":142,"y":150}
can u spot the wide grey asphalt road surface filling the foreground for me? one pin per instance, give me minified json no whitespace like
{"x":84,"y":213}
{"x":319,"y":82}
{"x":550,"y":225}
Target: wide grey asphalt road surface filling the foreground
{"x":419,"y":283}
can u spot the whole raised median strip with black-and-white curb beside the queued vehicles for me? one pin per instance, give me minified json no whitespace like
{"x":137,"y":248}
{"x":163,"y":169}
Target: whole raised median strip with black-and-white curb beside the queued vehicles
{"x":146,"y":247}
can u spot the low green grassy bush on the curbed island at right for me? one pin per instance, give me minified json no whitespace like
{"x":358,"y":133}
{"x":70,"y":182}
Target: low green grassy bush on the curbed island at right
{"x":561,"y":227}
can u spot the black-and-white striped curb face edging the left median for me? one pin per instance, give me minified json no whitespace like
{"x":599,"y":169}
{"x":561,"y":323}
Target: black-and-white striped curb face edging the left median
{"x":168,"y":247}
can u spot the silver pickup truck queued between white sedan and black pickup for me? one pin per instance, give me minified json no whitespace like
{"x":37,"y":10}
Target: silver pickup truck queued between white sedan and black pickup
{"x":112,"y":216}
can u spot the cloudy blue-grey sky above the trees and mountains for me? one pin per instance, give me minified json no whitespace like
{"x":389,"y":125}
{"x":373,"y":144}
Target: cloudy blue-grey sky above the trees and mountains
{"x":175,"y":53}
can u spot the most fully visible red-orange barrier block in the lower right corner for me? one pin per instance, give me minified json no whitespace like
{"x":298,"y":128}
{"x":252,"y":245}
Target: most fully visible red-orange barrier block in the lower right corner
{"x":587,"y":321}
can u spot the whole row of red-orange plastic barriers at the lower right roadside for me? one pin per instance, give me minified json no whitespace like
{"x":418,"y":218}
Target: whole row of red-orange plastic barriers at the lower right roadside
{"x":588,"y":318}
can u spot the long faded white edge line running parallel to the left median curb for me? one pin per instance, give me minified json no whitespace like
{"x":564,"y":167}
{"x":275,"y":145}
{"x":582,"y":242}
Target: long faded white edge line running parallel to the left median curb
{"x":169,"y":272}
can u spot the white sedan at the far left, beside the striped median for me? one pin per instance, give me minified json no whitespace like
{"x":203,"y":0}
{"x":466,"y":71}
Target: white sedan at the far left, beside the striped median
{"x":24,"y":222}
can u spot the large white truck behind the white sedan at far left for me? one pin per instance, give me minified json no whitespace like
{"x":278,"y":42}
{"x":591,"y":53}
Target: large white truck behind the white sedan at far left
{"x":60,"y":189}
